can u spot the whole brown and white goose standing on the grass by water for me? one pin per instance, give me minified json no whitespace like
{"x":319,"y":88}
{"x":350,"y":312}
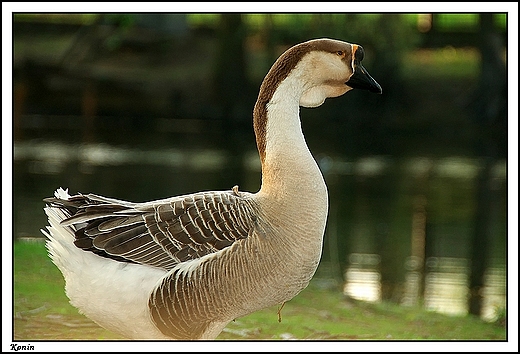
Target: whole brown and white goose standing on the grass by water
{"x":185,"y":266}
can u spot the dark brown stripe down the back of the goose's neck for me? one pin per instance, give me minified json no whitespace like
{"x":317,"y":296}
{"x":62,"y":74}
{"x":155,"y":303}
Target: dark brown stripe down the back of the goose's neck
{"x":278,"y":72}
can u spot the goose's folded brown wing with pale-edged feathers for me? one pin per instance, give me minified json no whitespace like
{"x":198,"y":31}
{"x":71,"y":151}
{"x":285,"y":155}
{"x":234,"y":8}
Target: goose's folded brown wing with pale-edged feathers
{"x":162,"y":233}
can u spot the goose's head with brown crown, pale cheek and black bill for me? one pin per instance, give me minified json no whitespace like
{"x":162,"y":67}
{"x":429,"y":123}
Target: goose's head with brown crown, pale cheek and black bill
{"x":326,"y":68}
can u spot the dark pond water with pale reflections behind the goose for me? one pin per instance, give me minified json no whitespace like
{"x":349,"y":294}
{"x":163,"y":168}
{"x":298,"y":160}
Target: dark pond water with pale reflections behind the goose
{"x":398,"y":229}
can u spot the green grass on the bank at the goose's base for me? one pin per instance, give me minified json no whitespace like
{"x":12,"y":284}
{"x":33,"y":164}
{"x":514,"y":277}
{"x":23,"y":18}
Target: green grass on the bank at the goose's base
{"x":42,"y":311}
